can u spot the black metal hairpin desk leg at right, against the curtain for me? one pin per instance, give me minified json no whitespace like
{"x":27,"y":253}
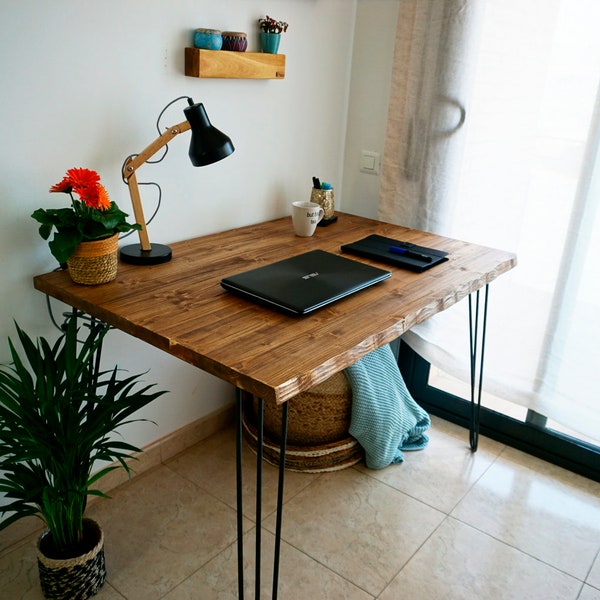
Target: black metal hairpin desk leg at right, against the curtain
{"x":476,"y":377}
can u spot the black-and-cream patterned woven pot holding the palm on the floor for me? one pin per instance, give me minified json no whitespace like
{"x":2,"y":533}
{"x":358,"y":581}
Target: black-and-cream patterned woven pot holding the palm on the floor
{"x":73,"y":578}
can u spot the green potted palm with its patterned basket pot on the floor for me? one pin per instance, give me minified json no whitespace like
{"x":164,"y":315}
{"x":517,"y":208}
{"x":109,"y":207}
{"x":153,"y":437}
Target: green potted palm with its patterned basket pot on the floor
{"x":58,"y":412}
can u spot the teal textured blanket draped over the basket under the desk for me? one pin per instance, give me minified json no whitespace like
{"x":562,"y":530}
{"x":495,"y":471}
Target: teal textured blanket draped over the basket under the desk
{"x":385,"y":419}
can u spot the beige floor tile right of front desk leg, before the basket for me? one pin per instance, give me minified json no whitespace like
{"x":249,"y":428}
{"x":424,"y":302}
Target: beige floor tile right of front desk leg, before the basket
{"x":358,"y":527}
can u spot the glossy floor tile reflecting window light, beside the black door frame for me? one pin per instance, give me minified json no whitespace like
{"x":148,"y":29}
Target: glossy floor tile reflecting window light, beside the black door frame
{"x":545,"y":511}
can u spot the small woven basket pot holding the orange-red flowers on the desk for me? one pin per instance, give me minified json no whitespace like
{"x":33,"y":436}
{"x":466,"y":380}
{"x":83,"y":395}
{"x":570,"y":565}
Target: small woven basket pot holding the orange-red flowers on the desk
{"x":95,"y":262}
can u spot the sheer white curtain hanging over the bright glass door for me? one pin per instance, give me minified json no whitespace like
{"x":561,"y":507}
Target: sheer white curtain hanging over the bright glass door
{"x":493,"y":137}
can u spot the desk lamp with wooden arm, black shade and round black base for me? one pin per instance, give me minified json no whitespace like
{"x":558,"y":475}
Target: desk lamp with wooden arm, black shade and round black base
{"x":208,"y":145}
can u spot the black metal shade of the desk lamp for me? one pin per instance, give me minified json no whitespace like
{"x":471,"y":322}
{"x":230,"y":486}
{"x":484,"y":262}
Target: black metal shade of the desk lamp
{"x":208,"y":144}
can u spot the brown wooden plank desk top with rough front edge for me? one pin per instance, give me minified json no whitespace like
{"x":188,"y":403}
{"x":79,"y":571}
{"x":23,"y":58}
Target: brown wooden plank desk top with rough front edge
{"x":181,"y":308}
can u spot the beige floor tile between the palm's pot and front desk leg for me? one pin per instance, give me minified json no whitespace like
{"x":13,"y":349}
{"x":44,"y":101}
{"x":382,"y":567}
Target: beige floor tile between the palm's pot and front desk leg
{"x":160,"y":528}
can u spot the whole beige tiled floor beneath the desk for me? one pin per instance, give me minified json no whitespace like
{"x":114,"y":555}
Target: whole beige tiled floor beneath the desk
{"x":445,"y":524}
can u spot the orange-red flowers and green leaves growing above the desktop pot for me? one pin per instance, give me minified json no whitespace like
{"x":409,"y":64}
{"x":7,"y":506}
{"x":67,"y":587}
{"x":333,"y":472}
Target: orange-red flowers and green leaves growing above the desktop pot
{"x":92,"y":216}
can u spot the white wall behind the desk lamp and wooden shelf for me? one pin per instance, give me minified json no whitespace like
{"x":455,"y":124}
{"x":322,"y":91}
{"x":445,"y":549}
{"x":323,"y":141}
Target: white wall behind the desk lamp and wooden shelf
{"x":82,"y":85}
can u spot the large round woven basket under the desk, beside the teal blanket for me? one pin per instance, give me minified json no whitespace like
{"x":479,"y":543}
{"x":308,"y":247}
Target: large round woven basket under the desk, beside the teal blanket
{"x":318,"y":422}
